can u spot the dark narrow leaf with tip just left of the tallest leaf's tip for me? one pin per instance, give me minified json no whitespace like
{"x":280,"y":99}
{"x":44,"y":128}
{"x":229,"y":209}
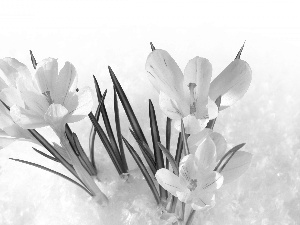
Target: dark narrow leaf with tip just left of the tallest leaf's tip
{"x":106,"y":121}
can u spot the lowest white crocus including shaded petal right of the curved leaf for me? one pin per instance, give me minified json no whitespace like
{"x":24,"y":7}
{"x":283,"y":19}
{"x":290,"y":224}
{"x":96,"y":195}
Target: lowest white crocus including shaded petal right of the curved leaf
{"x":198,"y":181}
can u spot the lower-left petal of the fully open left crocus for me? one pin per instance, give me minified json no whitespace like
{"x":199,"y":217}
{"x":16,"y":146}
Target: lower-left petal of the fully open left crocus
{"x":25,"y":118}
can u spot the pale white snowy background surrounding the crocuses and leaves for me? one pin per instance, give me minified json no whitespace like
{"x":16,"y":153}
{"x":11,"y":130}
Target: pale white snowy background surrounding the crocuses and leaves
{"x":95,"y":34}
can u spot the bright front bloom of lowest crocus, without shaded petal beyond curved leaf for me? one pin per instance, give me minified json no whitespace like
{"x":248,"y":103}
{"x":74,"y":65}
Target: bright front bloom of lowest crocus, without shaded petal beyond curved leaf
{"x":197,"y":182}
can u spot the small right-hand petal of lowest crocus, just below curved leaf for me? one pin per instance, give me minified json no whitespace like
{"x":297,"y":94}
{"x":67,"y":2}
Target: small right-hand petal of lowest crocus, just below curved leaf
{"x":212,"y":181}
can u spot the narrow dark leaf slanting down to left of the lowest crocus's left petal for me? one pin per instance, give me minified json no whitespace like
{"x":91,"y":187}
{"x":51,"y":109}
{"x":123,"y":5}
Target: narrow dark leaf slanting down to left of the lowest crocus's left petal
{"x":143,"y":170}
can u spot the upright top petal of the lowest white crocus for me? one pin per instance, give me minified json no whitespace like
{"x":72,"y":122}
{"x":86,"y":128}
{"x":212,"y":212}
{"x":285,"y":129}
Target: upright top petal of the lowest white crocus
{"x":206,"y":155}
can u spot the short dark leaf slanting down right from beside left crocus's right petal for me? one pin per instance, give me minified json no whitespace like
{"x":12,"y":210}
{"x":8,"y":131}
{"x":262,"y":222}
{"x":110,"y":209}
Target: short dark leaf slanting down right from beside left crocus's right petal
{"x":106,"y":143}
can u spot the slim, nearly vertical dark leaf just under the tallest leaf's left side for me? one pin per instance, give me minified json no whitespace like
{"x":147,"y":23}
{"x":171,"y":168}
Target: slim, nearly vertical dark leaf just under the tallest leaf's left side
{"x":118,"y":129}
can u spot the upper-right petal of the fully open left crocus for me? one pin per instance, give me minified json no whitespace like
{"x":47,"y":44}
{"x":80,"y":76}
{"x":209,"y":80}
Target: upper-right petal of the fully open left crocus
{"x":66,"y":82}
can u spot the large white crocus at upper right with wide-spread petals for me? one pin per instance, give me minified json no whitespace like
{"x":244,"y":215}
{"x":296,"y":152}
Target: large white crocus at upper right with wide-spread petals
{"x":191,"y":96}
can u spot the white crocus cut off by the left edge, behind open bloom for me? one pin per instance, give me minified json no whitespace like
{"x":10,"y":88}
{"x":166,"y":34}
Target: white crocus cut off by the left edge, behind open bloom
{"x":11,"y":69}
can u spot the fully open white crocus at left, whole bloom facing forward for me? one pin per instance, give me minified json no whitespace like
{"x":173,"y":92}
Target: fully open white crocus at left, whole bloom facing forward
{"x":51,"y":98}
